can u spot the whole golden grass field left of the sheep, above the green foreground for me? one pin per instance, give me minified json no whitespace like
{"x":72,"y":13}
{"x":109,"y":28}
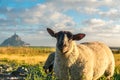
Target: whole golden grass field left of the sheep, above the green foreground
{"x":24,"y":55}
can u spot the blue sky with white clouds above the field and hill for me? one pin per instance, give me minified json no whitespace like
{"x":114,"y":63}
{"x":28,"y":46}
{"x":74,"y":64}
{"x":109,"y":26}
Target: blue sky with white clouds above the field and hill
{"x":98,"y":19}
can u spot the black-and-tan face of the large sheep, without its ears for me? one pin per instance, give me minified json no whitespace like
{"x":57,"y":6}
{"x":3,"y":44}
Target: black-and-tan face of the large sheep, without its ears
{"x":63,"y":40}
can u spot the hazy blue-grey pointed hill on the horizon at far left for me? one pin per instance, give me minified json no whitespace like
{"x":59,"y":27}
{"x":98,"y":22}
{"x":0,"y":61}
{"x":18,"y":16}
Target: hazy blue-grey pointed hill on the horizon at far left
{"x":14,"y":40}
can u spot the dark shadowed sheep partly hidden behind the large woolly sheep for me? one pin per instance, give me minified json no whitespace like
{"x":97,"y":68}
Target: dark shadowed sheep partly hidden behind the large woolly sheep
{"x":48,"y":66}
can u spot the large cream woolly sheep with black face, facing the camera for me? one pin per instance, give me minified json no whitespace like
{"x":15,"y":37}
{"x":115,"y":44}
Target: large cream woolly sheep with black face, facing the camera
{"x":86,"y":61}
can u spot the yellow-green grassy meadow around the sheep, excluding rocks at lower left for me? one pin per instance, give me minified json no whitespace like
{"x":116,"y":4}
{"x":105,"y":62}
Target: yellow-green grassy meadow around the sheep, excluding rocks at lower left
{"x":33,"y":59}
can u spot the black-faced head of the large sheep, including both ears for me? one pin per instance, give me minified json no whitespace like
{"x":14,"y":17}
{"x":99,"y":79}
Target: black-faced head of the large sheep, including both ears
{"x":64,"y":39}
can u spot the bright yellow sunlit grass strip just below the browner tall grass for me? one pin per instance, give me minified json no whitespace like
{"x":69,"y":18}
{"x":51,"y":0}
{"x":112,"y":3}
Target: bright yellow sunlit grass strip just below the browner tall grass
{"x":24,"y":59}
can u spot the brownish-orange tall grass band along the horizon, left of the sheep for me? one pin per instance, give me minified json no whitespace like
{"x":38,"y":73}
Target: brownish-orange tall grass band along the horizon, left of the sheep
{"x":26,"y":50}
